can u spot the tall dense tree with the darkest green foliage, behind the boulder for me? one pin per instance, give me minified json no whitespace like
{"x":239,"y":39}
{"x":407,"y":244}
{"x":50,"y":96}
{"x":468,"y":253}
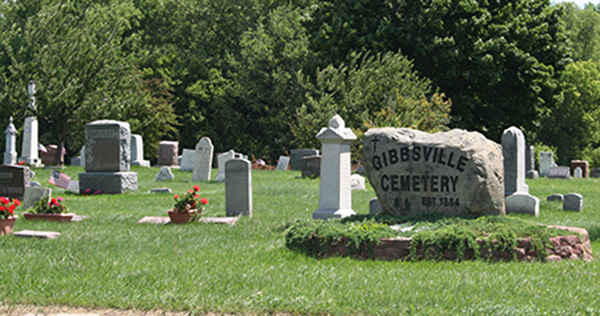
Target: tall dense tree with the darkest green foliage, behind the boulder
{"x":498,"y":61}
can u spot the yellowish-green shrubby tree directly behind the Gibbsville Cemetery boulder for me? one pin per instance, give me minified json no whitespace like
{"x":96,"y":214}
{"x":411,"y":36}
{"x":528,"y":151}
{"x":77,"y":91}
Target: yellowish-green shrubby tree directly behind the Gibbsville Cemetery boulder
{"x":373,"y":90}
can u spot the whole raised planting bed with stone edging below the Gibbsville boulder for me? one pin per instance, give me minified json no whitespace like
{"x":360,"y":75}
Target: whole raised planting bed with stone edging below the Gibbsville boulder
{"x":437,"y":237}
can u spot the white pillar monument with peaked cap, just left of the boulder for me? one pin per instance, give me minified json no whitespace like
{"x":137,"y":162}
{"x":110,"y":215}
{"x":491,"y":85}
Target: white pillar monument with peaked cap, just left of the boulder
{"x":335,"y":195}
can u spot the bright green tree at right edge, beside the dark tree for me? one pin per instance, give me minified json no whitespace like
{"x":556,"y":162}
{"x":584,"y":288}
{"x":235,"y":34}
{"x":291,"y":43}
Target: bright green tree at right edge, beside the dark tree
{"x":573,"y":126}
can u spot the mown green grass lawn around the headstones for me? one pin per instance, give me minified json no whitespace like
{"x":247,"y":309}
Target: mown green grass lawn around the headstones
{"x":108,"y":260}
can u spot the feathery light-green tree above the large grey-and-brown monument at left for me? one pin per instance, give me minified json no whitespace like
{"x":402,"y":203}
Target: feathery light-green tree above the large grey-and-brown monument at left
{"x":74,"y":52}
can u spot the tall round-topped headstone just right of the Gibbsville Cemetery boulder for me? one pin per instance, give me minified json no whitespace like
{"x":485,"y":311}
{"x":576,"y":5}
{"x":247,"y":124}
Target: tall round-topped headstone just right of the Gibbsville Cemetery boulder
{"x":513,"y":150}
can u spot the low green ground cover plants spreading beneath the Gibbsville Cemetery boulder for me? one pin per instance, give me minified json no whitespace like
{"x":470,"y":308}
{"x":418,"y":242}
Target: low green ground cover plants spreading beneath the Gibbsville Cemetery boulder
{"x":433,"y":233}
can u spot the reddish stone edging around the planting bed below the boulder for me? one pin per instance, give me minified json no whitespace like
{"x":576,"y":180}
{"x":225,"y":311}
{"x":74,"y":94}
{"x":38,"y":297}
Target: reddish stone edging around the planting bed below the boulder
{"x":563,"y":247}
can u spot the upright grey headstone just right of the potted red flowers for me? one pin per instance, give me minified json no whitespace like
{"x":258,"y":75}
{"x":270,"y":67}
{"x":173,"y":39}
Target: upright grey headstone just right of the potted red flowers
{"x":238,"y":187}
